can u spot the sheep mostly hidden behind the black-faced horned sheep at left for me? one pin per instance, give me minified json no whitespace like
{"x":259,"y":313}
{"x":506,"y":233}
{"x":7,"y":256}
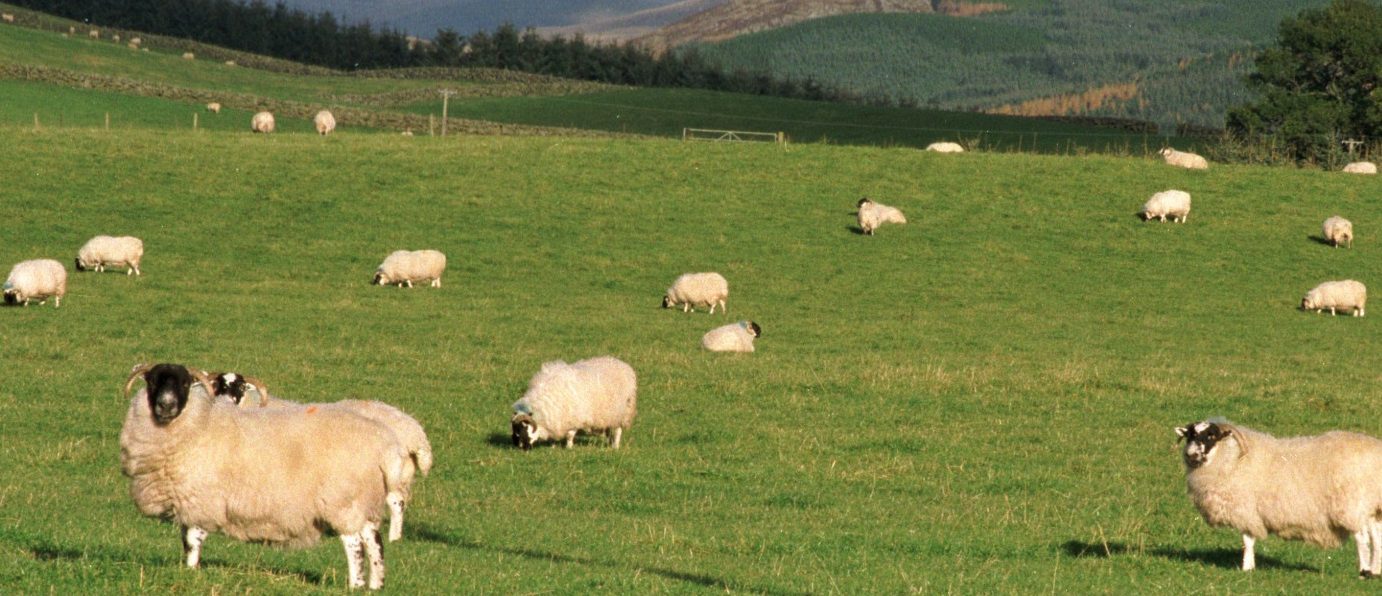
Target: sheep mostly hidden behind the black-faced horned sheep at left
{"x":234,"y":387}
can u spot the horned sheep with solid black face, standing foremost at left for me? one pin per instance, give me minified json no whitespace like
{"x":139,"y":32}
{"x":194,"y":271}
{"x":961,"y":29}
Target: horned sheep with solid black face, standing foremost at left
{"x":278,"y":476}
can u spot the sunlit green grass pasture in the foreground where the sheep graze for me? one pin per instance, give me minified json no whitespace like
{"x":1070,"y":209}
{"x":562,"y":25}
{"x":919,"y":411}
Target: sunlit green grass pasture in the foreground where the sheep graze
{"x":978,"y":402}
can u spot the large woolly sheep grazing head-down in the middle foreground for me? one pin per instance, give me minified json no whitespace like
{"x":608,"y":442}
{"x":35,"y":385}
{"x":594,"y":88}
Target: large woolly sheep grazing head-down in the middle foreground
{"x":595,"y":396}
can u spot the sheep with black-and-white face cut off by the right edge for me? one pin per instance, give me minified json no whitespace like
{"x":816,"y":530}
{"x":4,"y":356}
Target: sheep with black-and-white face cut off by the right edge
{"x":1319,"y":489}
